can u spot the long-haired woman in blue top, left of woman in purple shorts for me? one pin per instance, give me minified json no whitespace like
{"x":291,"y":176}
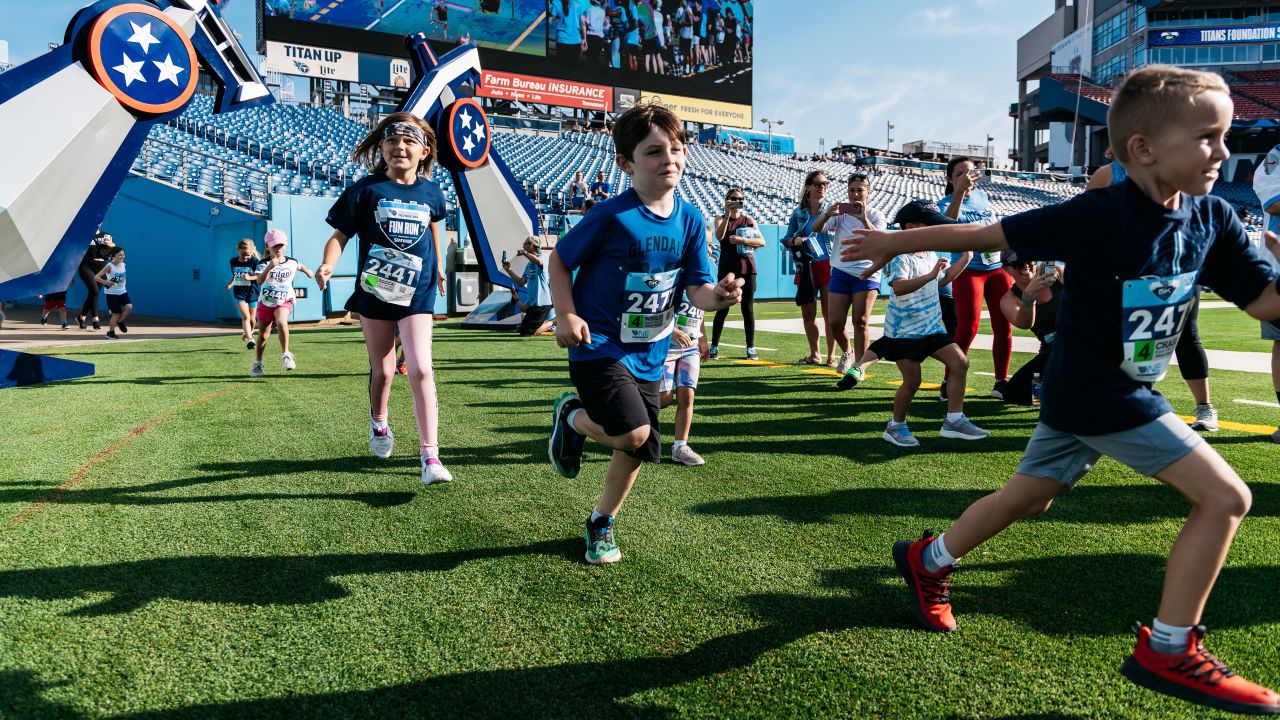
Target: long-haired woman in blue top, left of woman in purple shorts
{"x":812,"y":256}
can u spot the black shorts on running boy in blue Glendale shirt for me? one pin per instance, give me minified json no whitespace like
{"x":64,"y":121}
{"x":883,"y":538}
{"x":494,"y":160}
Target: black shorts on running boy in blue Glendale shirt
{"x":620,"y":403}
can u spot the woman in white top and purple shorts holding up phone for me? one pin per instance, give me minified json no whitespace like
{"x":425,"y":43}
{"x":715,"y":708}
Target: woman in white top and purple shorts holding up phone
{"x":848,"y":289}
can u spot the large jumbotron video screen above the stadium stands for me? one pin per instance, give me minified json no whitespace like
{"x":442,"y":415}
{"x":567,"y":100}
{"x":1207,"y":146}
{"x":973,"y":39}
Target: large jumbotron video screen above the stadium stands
{"x":696,"y":49}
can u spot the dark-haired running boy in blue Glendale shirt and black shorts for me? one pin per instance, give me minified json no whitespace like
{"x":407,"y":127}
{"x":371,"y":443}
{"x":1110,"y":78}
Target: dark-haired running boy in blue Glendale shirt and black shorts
{"x":633,"y":256}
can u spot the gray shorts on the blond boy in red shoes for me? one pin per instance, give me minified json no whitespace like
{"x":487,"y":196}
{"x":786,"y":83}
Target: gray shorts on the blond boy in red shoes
{"x":1148,"y":449}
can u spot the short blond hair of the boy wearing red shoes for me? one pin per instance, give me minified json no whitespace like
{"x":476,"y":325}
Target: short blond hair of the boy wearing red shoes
{"x":1154,"y":98}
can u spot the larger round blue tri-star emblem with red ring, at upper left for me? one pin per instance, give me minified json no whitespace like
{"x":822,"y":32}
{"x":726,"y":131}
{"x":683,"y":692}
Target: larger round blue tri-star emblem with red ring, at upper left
{"x":143,"y":58}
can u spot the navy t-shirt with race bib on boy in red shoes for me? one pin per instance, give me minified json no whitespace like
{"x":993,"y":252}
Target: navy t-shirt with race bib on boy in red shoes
{"x":1112,"y":238}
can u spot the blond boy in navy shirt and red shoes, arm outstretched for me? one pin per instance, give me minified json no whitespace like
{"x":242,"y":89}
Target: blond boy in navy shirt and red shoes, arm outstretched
{"x":1119,"y":323}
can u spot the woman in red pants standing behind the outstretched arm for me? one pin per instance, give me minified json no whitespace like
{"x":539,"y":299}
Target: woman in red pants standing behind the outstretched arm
{"x":982,"y":279}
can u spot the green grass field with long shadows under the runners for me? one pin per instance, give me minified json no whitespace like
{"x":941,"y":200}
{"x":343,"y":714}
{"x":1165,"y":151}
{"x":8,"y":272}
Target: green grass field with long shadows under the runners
{"x":179,"y":541}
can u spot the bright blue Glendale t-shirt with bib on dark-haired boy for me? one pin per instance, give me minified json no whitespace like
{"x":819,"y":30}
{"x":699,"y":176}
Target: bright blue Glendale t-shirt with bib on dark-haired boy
{"x":630,"y":267}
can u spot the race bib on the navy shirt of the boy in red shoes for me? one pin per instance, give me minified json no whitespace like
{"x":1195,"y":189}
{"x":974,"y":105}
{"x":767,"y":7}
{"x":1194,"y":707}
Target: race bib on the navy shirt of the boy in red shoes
{"x":1154,"y":315}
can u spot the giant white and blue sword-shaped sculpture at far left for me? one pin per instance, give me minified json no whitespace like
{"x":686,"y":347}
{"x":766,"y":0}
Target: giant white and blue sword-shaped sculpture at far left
{"x":74,"y":124}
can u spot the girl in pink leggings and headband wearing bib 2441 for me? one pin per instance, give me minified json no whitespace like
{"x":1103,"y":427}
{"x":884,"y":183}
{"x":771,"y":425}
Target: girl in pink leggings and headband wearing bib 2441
{"x":396,"y":212}
